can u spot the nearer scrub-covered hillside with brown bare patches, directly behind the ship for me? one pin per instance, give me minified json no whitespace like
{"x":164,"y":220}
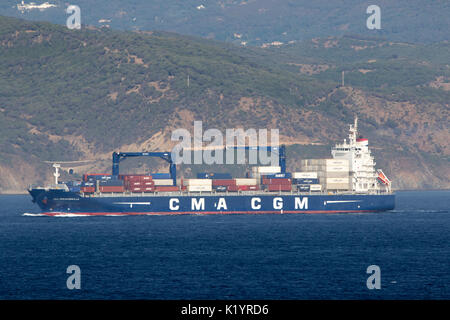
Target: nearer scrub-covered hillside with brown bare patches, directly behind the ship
{"x":67,"y":95}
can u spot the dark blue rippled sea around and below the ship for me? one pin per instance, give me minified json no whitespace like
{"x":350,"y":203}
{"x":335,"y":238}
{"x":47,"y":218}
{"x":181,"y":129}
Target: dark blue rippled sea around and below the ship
{"x":322,"y":256}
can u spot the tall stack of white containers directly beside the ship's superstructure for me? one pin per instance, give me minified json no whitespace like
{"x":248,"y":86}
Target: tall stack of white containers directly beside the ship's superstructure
{"x":334,"y":174}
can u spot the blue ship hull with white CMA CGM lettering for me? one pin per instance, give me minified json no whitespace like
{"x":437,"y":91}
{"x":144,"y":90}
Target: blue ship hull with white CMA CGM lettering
{"x":55,"y":202}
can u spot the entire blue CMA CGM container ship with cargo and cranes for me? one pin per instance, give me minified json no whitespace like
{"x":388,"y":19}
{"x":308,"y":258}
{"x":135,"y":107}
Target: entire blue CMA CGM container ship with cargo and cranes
{"x":344,"y":183}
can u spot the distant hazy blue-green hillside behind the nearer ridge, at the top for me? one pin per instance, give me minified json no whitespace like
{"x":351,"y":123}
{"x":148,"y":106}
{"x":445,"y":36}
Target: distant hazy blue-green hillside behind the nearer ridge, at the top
{"x":256,"y":22}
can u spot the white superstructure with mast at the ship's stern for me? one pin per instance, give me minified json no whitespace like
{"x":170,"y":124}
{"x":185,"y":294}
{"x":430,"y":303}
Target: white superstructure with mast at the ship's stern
{"x":363,"y":175}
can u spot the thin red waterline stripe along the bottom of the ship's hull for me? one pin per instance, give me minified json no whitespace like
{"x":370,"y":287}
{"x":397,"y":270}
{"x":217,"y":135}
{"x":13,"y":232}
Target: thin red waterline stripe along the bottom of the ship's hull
{"x":202,"y":212}
